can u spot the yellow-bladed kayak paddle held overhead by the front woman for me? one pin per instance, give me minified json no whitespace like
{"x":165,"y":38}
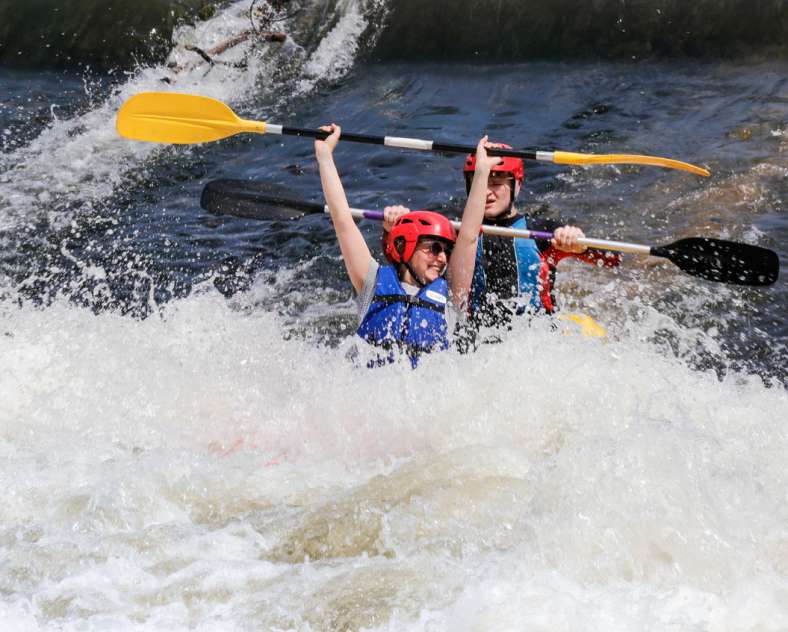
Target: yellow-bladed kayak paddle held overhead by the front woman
{"x":169,"y":117}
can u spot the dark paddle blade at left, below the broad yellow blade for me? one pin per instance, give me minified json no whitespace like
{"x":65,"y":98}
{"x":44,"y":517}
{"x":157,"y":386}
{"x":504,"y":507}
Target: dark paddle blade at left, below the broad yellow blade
{"x":253,"y":200}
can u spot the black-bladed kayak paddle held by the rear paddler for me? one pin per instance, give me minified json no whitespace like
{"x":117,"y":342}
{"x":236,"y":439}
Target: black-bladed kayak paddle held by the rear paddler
{"x":711,"y":259}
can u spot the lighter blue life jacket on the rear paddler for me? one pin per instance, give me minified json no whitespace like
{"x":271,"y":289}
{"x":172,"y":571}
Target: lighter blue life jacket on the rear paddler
{"x":528,"y":263}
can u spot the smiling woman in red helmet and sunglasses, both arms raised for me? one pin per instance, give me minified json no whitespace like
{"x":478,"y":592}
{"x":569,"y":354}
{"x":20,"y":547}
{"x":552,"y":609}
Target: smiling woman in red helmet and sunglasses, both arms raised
{"x":403,"y":307}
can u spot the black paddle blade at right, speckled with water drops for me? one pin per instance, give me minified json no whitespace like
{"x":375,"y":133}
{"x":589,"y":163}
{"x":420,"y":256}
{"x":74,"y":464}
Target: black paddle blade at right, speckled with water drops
{"x":723,"y":261}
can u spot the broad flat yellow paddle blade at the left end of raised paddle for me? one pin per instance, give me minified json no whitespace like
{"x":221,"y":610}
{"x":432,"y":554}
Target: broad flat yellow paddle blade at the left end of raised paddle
{"x":169,"y":117}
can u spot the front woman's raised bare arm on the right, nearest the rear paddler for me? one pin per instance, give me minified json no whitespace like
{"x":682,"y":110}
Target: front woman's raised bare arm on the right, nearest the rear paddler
{"x":463,"y":259}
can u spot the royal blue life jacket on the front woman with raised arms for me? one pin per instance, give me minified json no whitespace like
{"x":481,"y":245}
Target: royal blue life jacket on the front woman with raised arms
{"x":396,"y":320}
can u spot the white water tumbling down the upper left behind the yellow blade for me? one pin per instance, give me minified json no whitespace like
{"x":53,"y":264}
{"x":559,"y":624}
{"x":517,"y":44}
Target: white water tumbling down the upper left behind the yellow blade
{"x":75,"y":163}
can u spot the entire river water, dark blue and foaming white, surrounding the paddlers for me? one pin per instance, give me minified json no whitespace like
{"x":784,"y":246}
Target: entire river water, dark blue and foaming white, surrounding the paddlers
{"x":184,"y":444}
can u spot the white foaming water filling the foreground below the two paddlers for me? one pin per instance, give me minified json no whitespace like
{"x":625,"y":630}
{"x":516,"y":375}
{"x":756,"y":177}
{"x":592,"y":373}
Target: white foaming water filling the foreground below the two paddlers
{"x":196,"y":471}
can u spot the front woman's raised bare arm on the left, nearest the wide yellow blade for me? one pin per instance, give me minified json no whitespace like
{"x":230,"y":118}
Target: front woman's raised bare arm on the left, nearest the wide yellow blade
{"x":354,"y":249}
